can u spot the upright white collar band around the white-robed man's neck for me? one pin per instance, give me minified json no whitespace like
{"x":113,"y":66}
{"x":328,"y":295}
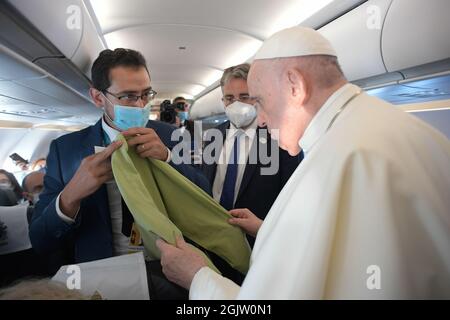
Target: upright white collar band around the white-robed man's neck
{"x":321,"y":121}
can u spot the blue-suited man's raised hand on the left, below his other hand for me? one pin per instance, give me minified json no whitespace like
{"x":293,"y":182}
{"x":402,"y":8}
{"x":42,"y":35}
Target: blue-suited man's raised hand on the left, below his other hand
{"x":93,"y":171}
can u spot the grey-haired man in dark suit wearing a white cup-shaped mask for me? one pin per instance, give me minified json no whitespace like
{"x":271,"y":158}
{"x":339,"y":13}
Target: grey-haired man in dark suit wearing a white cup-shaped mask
{"x":249,"y":188}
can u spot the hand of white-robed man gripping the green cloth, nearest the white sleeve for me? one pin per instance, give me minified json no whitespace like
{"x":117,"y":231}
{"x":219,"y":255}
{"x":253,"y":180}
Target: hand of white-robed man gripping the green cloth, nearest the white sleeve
{"x":180,"y":263}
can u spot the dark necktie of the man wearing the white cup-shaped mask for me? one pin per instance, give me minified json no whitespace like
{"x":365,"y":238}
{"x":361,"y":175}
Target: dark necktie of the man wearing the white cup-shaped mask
{"x":229,"y":184}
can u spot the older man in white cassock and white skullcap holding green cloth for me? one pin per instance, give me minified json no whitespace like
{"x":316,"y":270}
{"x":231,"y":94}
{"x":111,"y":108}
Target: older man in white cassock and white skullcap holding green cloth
{"x":366,"y":215}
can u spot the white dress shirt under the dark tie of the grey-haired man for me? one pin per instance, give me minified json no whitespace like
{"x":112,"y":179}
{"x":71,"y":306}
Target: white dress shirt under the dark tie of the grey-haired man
{"x":245,"y":144}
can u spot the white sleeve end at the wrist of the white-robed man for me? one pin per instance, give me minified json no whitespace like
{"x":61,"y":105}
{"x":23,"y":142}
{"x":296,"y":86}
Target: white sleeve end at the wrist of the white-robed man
{"x":209,"y":285}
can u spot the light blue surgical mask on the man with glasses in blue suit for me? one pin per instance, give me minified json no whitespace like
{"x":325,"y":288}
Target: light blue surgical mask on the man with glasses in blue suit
{"x":129,"y":117}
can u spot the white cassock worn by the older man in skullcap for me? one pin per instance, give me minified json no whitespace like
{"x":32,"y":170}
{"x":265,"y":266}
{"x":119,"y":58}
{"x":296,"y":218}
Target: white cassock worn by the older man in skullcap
{"x":366,"y":215}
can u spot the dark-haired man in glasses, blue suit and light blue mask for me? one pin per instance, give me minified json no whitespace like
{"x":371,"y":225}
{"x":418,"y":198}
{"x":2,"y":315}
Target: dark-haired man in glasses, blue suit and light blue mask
{"x":81,"y":203}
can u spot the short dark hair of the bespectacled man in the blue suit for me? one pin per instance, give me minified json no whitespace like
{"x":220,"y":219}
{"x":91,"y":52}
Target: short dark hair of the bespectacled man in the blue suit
{"x":109,"y":59}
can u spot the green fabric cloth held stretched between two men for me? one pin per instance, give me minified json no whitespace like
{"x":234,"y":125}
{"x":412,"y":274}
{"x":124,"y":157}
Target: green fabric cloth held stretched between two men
{"x":166,"y":204}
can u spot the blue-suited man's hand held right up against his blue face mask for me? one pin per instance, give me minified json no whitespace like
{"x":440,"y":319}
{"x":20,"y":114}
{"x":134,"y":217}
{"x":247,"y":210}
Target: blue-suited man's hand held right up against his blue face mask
{"x":147,"y":143}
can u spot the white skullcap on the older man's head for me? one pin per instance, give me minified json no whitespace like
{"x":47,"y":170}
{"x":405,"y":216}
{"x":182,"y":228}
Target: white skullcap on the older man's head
{"x":295,"y":42}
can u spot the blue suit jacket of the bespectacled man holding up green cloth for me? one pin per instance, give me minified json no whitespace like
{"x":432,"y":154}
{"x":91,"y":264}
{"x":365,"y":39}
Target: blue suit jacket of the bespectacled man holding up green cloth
{"x":91,"y":233}
